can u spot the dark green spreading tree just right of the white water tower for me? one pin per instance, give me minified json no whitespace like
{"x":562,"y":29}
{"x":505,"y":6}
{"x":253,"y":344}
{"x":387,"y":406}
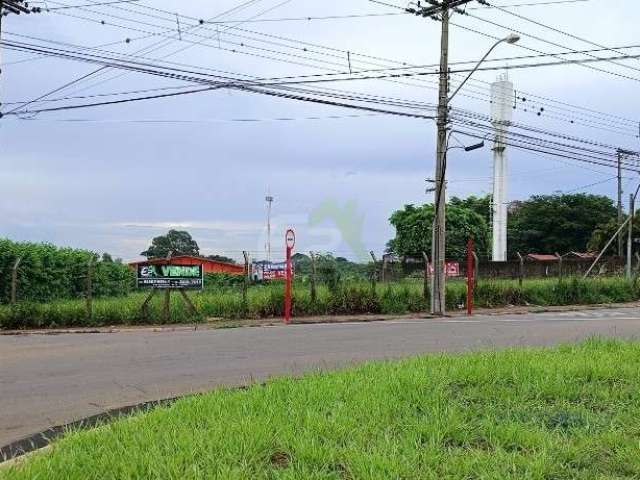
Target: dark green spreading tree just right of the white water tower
{"x":557,"y":223}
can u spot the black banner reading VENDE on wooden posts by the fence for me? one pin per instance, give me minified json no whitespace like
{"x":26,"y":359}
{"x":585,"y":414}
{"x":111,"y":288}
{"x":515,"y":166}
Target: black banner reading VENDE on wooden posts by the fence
{"x":170,"y":276}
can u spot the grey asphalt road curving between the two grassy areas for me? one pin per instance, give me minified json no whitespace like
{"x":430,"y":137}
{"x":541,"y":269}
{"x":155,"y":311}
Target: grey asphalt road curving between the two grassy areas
{"x":49,"y":380}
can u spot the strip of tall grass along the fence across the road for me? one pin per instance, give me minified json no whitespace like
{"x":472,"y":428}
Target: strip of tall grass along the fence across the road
{"x":266,"y":301}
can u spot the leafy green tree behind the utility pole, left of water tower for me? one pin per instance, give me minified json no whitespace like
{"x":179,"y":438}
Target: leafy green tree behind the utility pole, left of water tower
{"x":413,"y":230}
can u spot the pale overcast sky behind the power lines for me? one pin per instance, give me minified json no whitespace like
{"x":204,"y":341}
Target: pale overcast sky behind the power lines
{"x":111,"y":178}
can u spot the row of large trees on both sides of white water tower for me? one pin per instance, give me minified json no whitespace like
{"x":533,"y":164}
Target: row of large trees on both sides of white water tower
{"x":546,"y":224}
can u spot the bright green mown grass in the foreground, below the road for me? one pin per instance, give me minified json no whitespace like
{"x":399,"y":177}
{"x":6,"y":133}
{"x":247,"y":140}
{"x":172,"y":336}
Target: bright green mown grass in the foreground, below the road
{"x":563,"y":413}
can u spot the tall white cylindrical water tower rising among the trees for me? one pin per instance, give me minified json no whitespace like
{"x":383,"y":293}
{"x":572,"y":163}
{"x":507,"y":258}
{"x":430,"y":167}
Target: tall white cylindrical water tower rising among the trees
{"x":502,"y":95}
